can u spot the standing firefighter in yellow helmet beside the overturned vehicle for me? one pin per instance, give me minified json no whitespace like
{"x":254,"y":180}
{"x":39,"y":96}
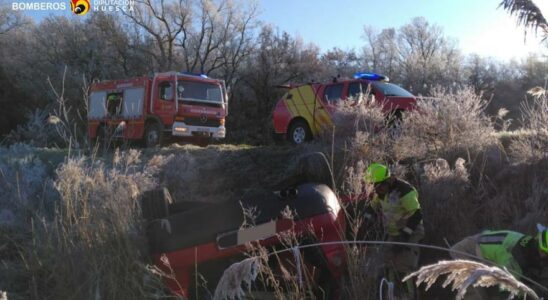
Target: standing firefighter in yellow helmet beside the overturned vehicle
{"x":396,"y":201}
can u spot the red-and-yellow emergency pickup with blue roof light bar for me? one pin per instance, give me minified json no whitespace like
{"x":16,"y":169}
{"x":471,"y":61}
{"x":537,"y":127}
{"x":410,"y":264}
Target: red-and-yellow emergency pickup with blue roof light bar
{"x":305,"y":110}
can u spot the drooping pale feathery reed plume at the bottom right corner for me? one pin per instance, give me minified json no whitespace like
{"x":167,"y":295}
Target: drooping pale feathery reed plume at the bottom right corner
{"x":463,"y":274}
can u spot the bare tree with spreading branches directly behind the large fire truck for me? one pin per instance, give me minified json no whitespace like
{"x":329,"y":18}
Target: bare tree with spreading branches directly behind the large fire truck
{"x":204,"y":36}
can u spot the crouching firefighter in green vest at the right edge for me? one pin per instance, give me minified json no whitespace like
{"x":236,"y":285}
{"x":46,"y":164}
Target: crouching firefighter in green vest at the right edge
{"x":519,"y":253}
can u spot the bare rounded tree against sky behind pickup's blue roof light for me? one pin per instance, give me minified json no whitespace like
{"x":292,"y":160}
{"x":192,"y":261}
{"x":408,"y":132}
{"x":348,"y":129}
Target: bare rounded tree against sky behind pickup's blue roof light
{"x":416,"y":55}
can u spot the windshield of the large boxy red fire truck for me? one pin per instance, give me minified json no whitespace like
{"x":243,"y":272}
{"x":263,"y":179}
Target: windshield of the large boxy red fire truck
{"x":199,"y":91}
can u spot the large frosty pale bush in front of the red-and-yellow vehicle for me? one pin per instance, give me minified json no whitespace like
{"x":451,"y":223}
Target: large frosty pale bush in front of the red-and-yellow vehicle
{"x":446,"y":124}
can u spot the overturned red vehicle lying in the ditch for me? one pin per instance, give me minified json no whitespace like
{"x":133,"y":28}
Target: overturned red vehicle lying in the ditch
{"x":202,"y":240}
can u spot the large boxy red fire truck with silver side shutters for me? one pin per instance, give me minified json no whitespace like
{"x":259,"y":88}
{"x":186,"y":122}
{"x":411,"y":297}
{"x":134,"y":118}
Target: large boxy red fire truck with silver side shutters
{"x":170,"y":104}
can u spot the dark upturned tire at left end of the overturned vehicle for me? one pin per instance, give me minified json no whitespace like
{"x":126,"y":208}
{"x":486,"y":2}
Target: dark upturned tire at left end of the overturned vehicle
{"x":155,"y":204}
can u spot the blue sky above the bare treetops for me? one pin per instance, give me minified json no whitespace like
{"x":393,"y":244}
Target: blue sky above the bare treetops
{"x":479,"y":26}
